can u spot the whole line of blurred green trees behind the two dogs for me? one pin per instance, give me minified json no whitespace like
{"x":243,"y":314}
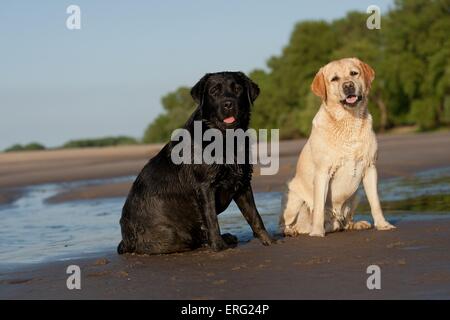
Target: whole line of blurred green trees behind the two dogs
{"x":410,"y":54}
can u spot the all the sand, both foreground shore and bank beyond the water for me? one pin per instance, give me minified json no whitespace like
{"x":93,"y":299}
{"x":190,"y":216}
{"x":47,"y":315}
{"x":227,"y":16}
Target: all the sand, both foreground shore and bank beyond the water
{"x":414,"y":259}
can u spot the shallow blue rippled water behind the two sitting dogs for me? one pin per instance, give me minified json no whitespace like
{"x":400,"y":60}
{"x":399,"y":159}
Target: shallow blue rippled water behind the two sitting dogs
{"x":33,"y":231}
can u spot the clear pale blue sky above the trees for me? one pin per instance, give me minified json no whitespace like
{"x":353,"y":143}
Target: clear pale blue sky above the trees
{"x":108,"y":77}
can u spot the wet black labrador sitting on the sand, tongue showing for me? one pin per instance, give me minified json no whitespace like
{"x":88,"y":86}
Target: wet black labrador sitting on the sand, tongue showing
{"x":174,"y":207}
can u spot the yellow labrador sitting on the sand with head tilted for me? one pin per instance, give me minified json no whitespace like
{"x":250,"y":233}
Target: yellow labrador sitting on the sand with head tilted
{"x":340,"y":152}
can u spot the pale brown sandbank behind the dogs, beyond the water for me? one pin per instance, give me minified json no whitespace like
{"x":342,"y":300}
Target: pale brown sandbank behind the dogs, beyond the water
{"x":399,"y":155}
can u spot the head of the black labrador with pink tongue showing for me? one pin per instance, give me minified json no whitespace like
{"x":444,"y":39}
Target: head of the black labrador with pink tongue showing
{"x":225,"y":99}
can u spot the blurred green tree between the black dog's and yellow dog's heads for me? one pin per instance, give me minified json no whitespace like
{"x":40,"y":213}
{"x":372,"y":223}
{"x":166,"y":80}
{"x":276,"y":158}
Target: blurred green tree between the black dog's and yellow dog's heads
{"x":285,"y":88}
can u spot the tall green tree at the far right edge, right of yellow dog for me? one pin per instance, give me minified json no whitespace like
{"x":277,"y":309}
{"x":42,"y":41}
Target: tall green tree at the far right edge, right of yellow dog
{"x":418,"y":43}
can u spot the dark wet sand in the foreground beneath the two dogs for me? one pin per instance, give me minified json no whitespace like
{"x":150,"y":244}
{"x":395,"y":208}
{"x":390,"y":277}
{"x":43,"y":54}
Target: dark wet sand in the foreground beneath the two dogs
{"x":414,"y":262}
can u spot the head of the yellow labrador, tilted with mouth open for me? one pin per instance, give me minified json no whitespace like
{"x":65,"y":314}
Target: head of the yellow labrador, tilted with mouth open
{"x":345,"y":82}
